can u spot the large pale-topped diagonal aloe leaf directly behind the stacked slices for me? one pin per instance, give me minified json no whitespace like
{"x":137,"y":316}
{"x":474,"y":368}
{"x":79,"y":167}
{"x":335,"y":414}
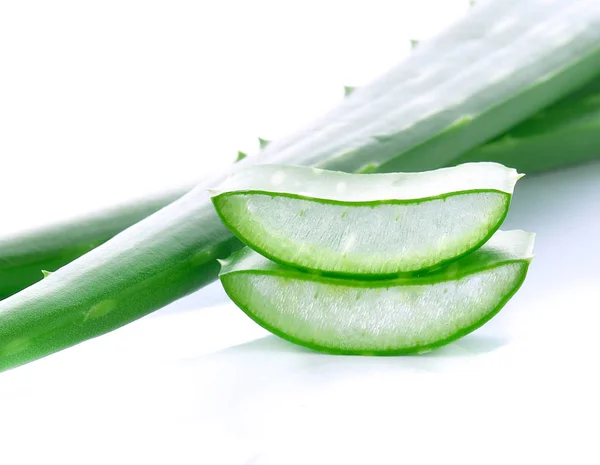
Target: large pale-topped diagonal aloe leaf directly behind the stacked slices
{"x":173,"y":252}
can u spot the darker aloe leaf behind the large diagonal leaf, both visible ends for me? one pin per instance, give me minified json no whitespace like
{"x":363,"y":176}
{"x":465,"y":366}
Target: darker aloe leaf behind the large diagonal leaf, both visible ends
{"x":566,"y":133}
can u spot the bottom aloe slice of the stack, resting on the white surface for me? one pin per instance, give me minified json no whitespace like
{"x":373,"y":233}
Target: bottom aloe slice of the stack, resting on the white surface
{"x":402,"y":315}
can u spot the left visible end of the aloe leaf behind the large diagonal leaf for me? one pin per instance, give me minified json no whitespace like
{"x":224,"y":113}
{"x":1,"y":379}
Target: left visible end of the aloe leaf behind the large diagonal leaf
{"x":24,"y":255}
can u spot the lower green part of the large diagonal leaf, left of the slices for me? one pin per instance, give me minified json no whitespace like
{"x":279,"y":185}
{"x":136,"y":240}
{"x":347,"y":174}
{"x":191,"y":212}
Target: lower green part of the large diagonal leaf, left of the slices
{"x":166,"y":256}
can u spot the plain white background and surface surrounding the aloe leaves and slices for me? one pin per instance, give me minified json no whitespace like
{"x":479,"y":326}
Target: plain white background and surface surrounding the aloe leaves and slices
{"x":105,"y":101}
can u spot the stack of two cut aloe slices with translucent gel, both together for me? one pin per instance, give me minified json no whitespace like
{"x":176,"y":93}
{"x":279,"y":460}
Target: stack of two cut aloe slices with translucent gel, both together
{"x":372,"y":263}
